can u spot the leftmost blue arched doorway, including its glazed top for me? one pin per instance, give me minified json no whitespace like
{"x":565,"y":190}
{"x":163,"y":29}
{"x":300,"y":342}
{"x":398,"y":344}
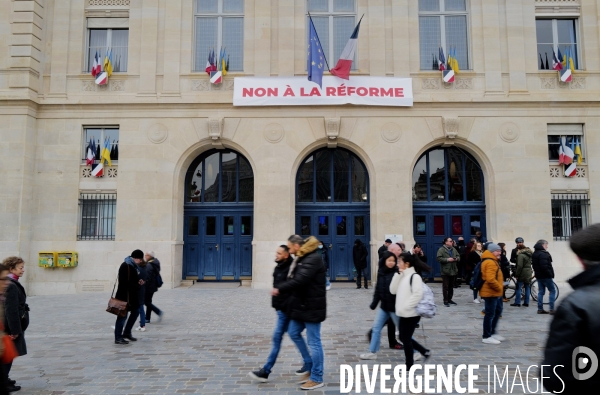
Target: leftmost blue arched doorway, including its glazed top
{"x":218,"y":217}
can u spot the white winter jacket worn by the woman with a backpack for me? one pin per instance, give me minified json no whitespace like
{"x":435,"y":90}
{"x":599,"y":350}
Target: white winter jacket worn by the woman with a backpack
{"x":407,"y":296}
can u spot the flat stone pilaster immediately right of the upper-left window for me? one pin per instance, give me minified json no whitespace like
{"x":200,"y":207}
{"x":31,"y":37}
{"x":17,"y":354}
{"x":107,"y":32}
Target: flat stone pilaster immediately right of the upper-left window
{"x":147,"y":85}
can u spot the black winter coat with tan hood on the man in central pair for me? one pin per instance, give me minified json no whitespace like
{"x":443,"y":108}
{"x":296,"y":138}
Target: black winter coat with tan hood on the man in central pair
{"x":306,"y":285}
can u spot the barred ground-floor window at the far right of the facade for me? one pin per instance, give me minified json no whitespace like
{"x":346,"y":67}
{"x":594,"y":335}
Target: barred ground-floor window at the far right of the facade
{"x":570,"y":212}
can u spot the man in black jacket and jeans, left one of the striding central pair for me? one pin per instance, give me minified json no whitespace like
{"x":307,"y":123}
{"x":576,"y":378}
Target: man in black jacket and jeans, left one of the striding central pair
{"x":279,"y":303}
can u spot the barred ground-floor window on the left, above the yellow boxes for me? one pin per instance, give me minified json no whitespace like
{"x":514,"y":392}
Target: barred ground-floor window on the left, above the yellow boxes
{"x":98,"y":215}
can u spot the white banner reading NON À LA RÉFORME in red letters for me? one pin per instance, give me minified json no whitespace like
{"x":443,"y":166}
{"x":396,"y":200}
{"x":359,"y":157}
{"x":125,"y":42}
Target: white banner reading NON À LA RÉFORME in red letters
{"x":298,"y":91}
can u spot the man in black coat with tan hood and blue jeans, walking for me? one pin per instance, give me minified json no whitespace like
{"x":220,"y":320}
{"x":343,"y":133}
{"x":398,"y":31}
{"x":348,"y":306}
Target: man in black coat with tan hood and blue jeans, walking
{"x":307,"y":305}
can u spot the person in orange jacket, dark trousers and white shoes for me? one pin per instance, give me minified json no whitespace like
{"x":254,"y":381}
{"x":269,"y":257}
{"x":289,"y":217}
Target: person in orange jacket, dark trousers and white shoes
{"x":491,"y":292}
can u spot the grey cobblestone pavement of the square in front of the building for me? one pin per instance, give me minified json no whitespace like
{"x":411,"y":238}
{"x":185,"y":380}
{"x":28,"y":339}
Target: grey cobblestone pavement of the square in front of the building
{"x":212,"y":336}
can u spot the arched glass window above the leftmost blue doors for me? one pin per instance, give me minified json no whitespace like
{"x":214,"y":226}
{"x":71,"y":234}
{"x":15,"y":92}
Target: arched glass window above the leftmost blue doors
{"x":220,"y":177}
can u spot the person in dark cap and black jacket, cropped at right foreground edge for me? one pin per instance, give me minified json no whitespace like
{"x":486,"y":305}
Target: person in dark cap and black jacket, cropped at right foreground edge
{"x":573,"y":345}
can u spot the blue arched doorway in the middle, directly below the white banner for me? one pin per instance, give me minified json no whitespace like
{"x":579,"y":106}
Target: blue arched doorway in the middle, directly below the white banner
{"x":332,"y":203}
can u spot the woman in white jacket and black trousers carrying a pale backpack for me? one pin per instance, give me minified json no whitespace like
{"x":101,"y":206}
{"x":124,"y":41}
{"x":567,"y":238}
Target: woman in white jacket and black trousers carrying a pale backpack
{"x":407,"y":285}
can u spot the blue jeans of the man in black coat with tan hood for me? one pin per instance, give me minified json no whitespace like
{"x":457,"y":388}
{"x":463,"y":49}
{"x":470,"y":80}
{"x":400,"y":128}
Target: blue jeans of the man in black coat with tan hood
{"x":313,"y":335}
